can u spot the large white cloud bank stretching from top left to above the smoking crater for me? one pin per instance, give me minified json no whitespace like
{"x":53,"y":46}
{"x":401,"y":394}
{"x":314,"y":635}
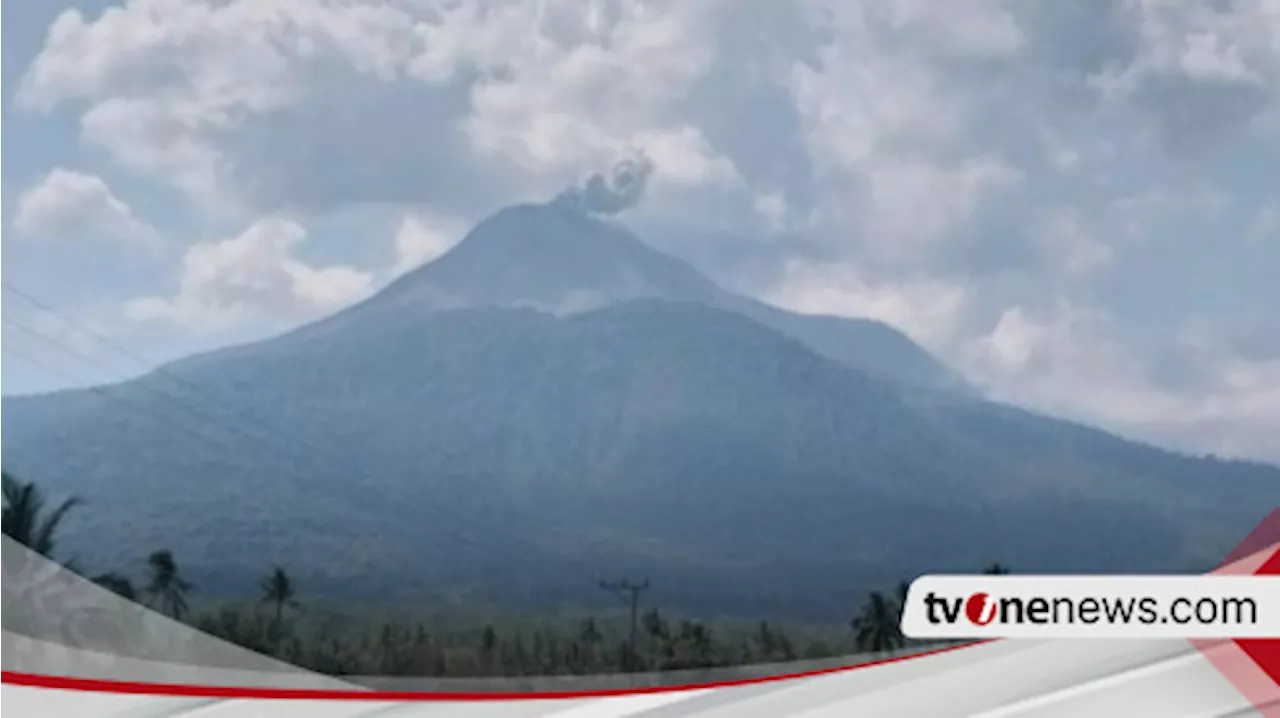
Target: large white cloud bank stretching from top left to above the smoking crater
{"x":170,"y":89}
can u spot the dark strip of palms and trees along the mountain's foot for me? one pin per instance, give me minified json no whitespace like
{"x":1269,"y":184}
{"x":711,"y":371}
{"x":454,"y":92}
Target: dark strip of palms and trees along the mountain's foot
{"x":277,"y":623}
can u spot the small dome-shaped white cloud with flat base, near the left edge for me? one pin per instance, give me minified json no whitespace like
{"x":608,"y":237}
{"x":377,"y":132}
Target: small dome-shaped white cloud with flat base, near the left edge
{"x":67,"y":203}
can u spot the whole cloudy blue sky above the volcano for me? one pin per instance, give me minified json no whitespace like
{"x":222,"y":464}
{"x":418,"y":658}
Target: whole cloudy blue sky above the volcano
{"x":1072,"y":204}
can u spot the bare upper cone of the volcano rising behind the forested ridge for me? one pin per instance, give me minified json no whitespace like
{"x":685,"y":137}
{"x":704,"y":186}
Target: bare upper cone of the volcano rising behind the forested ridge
{"x":560,"y":260}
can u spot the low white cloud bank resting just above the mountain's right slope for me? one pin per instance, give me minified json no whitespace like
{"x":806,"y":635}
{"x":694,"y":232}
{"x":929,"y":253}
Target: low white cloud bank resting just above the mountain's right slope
{"x":1073,"y":363}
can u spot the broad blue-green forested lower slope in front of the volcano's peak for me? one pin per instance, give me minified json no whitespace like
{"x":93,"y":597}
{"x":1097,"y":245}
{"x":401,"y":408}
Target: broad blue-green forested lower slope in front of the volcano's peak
{"x":524,"y":456}
